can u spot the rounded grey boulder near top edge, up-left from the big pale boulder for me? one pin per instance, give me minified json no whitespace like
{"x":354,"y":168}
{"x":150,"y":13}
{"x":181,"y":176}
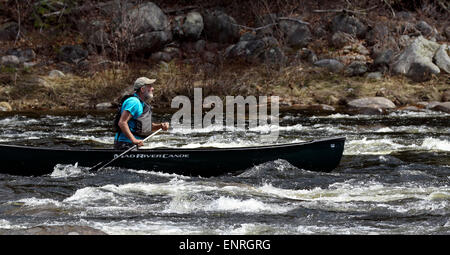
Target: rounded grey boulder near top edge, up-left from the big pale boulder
{"x":348,"y":24}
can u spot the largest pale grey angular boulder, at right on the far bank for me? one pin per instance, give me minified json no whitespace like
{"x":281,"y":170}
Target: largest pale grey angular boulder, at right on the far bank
{"x":419,"y":55}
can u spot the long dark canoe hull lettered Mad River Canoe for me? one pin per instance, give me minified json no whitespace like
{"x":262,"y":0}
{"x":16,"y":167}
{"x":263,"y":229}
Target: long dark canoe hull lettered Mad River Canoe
{"x":319,"y":155}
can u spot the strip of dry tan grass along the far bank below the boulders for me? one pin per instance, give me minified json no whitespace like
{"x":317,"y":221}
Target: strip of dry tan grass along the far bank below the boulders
{"x":298,"y":84}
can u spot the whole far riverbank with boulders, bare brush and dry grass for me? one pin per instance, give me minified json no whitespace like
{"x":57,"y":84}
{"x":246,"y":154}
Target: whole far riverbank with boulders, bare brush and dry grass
{"x":325,"y":56}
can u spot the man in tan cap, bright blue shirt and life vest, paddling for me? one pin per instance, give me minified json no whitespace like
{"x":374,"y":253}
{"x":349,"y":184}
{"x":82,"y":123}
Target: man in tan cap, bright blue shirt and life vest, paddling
{"x":133,"y":119}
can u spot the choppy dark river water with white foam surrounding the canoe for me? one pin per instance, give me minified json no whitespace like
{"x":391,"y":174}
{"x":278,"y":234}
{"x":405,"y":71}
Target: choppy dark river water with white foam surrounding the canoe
{"x":394,"y":178}
